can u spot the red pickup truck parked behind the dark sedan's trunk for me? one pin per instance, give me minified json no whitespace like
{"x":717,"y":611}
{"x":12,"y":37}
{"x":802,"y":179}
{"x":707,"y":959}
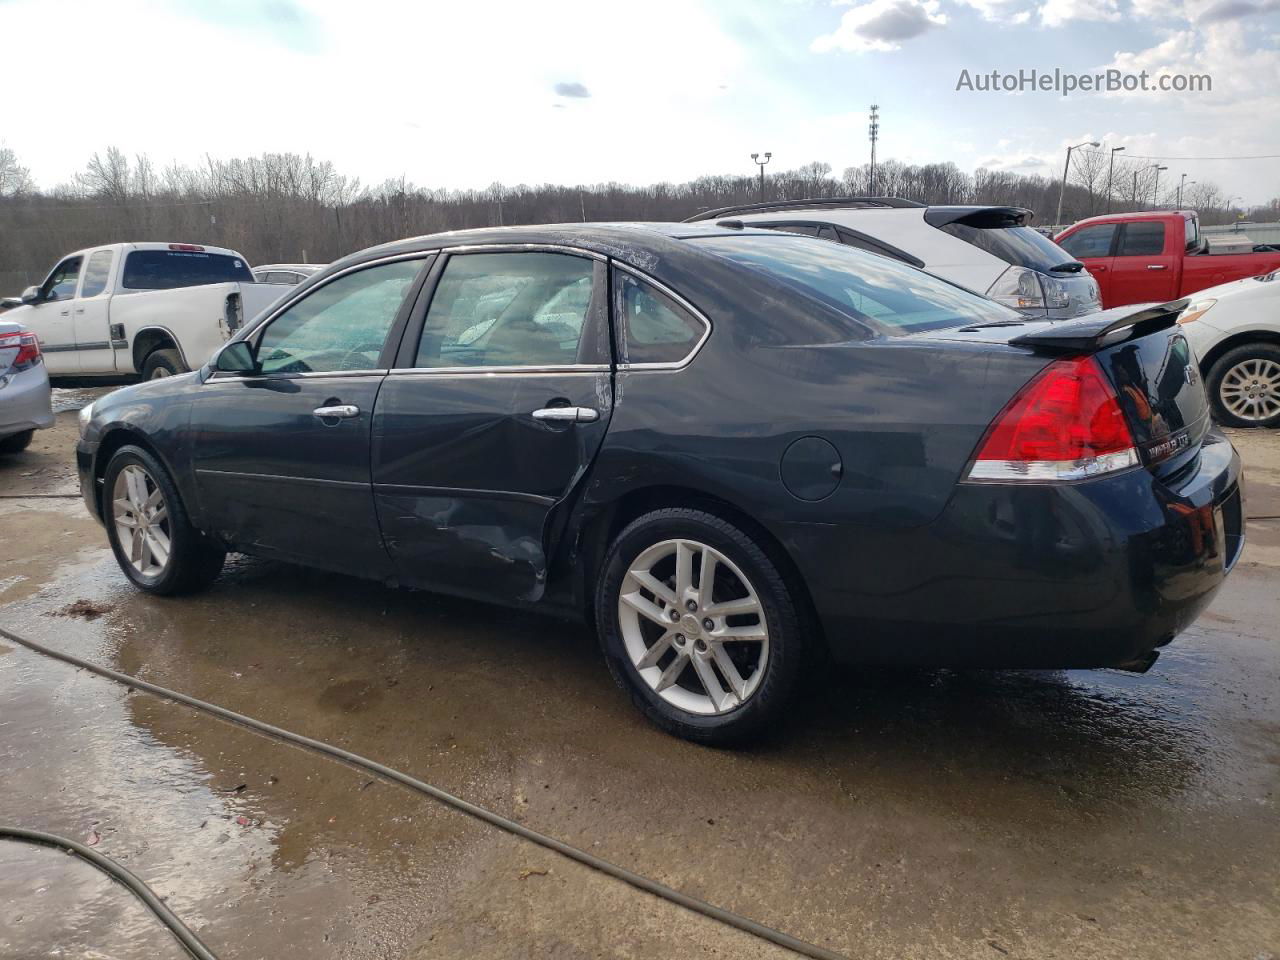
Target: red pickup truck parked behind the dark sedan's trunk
{"x":1156,"y":257}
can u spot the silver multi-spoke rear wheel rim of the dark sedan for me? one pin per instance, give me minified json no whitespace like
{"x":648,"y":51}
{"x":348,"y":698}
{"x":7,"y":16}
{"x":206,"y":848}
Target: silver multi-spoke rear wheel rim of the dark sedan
{"x":694,"y":627}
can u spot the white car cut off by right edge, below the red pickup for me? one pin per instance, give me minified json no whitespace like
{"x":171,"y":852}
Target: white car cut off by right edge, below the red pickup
{"x":1236,"y":332}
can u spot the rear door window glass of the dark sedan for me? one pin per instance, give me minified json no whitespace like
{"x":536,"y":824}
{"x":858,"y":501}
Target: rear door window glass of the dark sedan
{"x":508,"y":310}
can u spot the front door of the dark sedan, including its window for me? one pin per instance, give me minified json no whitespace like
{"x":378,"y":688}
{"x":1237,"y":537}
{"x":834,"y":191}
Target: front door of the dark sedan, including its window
{"x":282,"y":456}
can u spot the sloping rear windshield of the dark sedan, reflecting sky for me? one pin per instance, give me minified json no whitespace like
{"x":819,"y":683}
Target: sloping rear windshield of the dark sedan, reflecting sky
{"x":885,"y":295}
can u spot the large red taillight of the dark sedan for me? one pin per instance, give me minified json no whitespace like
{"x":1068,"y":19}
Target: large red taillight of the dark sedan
{"x":1067,"y":424}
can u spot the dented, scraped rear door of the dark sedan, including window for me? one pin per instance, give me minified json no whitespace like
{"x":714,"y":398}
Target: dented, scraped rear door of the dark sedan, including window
{"x":501,"y":397}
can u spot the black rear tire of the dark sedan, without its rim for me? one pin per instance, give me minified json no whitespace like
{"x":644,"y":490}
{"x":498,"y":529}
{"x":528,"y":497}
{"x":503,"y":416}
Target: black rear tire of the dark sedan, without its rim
{"x":765,"y":708}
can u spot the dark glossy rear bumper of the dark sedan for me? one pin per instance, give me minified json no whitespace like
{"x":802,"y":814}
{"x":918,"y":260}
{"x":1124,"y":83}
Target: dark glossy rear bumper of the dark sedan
{"x":1094,"y":574}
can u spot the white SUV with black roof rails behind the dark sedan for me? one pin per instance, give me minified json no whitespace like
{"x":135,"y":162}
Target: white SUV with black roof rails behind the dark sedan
{"x":990,"y":250}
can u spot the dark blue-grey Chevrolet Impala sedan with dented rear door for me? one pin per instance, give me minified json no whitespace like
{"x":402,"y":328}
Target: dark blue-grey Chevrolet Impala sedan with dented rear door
{"x":733,"y":451}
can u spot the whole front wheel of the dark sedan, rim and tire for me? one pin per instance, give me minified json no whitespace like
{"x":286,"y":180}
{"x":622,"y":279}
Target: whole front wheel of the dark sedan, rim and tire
{"x":152,"y":537}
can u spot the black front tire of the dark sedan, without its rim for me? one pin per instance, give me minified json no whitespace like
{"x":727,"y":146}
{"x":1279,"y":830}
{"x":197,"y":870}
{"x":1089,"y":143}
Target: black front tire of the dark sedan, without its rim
{"x":194,"y":561}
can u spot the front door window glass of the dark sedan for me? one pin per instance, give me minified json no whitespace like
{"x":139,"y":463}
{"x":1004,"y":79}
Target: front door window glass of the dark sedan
{"x":342,"y":326}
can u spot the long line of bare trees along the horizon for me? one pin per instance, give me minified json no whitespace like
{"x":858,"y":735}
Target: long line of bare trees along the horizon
{"x":290,"y":208}
